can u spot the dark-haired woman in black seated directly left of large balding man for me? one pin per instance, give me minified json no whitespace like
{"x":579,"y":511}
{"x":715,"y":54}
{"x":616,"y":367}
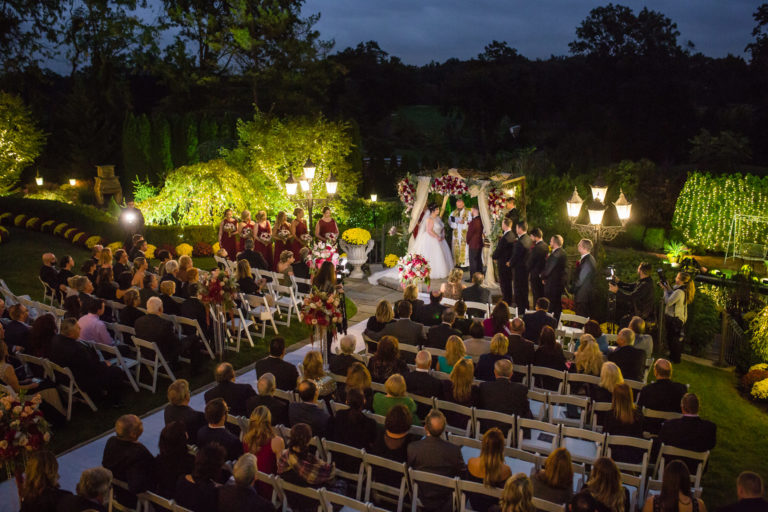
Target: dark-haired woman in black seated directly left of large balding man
{"x":392,"y":443}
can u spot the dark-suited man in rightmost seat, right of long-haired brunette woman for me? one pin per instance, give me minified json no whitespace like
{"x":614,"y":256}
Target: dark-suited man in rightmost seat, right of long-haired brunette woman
{"x":689,"y":432}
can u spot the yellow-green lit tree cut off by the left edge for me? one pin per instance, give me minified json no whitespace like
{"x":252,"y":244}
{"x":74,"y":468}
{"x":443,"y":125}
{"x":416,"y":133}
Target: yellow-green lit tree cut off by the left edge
{"x":20,"y":140}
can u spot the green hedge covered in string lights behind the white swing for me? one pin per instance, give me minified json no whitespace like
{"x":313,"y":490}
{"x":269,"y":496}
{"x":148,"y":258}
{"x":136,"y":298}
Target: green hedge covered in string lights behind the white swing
{"x":708,"y":203}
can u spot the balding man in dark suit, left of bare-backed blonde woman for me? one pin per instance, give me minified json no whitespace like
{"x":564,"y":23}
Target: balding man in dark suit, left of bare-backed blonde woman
{"x":435,"y":455}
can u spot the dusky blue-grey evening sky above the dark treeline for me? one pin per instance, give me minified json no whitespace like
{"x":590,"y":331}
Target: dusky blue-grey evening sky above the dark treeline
{"x":419,"y":31}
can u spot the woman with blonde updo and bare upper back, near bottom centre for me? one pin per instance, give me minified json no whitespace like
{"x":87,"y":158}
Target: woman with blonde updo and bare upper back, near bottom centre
{"x":488,"y":468}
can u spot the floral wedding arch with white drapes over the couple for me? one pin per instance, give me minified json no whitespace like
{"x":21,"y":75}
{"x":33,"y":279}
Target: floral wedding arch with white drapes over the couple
{"x":491,"y":194}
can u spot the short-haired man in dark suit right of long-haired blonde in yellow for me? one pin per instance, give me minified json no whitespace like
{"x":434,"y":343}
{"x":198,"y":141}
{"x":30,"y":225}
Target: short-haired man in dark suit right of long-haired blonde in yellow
{"x":504,"y":396}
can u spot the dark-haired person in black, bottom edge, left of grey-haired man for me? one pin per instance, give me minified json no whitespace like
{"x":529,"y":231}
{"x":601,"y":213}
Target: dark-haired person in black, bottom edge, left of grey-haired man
{"x":199,"y":490}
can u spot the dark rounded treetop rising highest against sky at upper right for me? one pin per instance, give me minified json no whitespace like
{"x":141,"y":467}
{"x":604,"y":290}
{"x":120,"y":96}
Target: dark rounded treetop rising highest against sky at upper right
{"x":615,"y":31}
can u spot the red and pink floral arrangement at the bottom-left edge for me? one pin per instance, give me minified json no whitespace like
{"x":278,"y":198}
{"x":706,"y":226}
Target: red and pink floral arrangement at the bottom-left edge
{"x":23,"y":430}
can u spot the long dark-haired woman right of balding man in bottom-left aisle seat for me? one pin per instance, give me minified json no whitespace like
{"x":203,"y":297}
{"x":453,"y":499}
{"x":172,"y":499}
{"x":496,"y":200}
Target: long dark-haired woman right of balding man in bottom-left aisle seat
{"x":173,"y":460}
